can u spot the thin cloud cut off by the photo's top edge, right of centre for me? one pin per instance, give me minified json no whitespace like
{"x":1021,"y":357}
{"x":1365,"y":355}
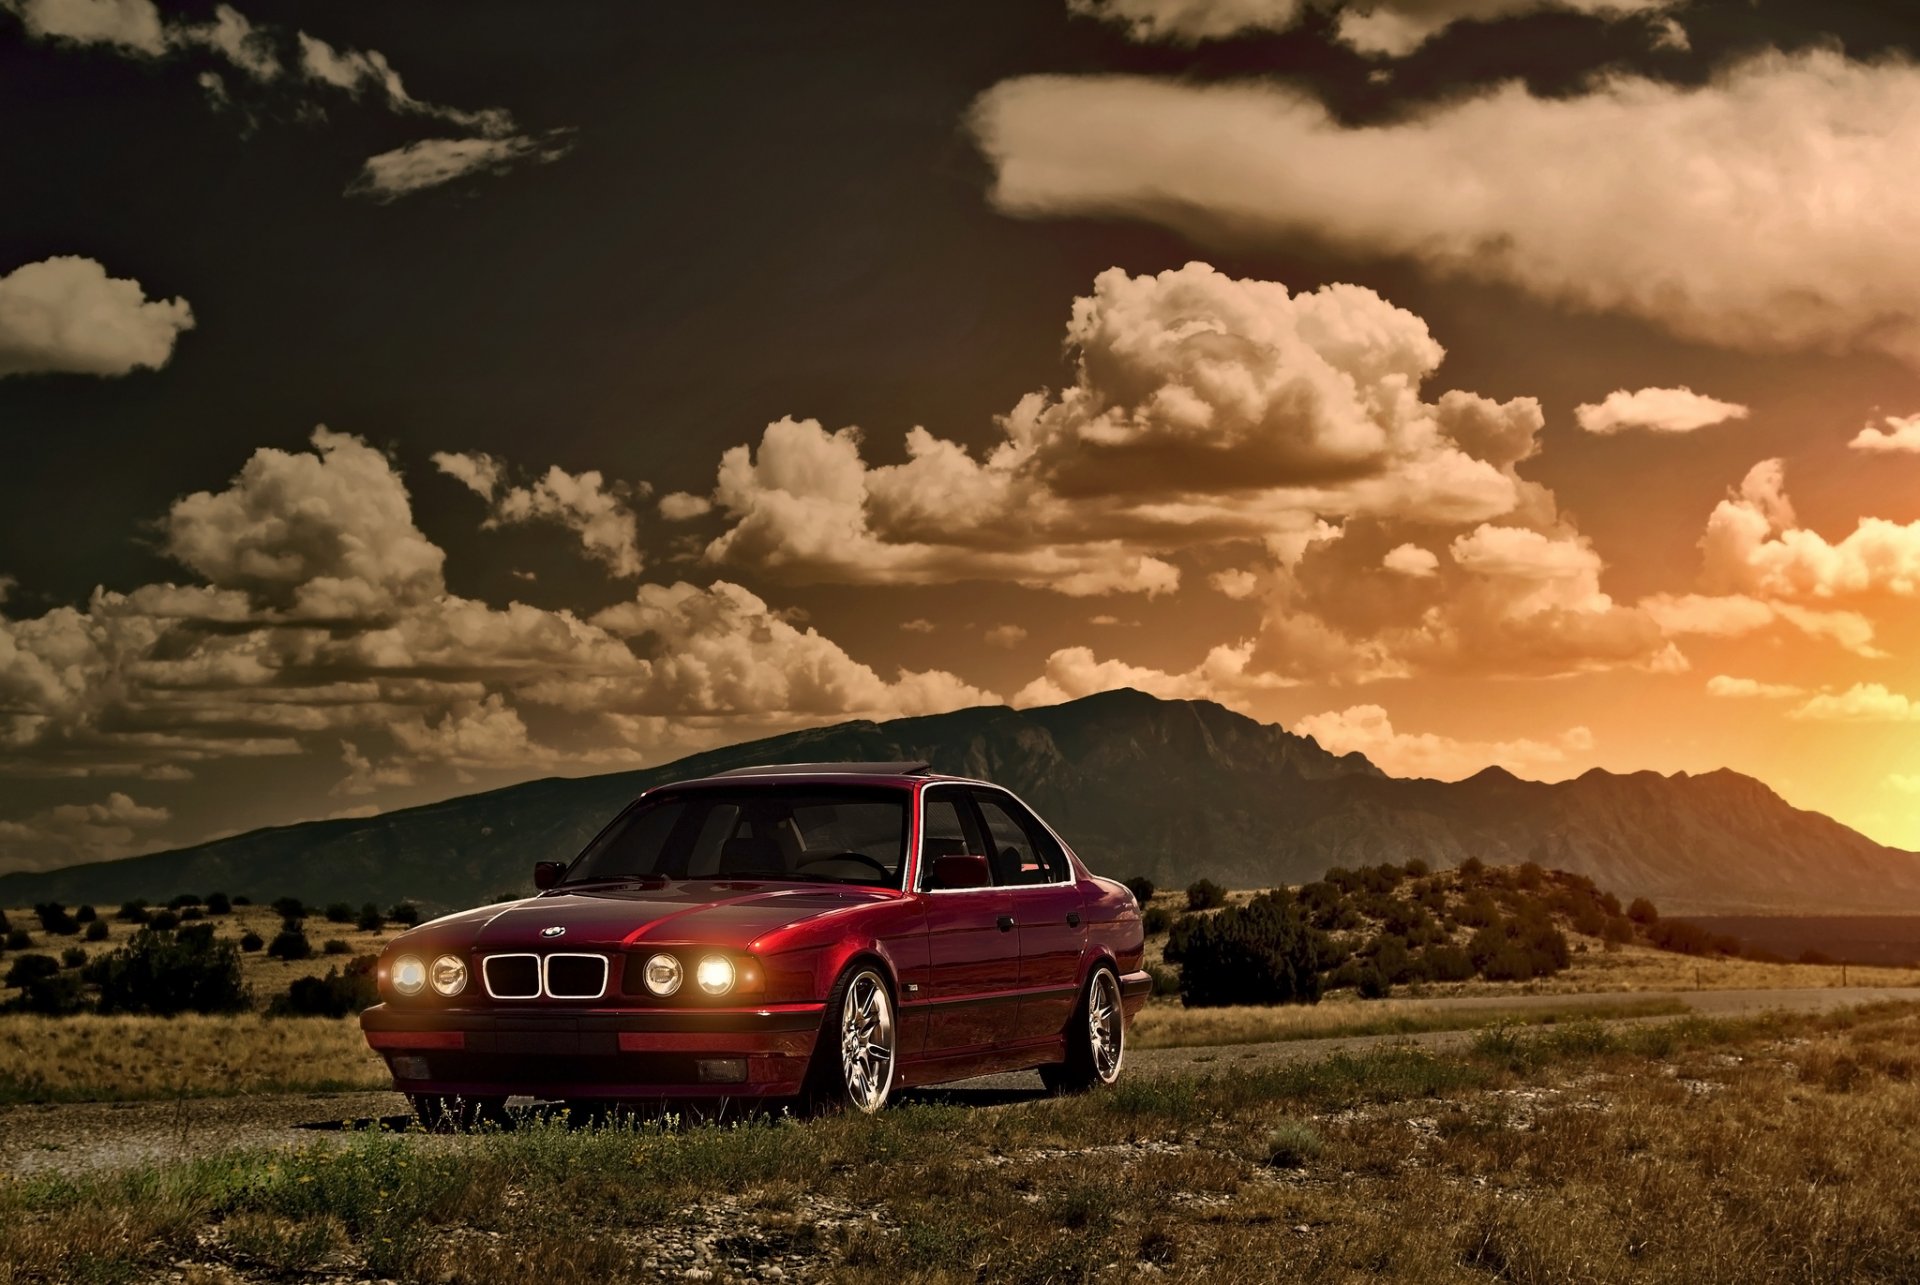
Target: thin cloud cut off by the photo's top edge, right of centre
{"x":1381,"y":28}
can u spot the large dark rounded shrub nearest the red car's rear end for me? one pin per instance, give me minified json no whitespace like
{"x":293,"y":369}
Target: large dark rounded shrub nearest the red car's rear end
{"x":1260,"y":954}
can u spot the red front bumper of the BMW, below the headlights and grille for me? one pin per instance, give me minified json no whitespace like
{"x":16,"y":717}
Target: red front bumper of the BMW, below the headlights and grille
{"x":598,"y":1054}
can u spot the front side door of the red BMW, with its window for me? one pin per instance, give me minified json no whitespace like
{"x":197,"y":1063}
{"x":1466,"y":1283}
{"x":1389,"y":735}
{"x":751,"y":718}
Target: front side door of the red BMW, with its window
{"x":972,"y":948}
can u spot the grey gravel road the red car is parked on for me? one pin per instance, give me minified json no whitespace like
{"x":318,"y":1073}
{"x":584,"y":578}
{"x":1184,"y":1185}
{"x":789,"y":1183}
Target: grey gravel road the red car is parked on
{"x":105,"y":1136}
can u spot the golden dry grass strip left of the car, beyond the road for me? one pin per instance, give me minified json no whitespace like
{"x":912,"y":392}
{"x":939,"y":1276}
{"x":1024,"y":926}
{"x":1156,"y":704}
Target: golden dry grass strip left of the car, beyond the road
{"x":91,"y":1059}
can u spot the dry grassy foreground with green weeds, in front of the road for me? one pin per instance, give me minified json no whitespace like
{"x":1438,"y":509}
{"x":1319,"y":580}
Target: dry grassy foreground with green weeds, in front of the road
{"x":1775,"y":1152}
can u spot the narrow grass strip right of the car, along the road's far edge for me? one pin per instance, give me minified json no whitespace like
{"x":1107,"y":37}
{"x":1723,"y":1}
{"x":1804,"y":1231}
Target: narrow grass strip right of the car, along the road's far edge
{"x":1166,"y":1025}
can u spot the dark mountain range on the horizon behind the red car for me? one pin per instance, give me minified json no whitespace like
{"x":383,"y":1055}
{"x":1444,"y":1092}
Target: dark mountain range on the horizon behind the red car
{"x":1174,"y":790}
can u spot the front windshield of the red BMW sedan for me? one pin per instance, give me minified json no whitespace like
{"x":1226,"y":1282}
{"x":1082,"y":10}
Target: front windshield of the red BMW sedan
{"x":756,"y":833}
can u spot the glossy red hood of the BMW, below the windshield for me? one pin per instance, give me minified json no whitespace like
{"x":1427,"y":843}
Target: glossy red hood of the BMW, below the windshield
{"x":700,"y":911}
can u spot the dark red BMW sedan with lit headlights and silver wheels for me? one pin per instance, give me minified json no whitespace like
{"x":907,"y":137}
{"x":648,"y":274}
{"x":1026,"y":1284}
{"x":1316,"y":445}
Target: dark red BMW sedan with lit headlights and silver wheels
{"x":827,"y":933}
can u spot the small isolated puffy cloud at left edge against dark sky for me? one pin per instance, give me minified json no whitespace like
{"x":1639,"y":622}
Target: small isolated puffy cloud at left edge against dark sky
{"x":66,"y":316}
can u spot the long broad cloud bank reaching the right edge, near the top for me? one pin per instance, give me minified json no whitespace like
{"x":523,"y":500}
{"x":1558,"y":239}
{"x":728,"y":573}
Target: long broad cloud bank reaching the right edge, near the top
{"x":1698,"y":208}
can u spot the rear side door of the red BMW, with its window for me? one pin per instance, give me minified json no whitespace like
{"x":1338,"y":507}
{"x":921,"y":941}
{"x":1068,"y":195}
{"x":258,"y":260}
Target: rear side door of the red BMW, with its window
{"x":1047,"y":913}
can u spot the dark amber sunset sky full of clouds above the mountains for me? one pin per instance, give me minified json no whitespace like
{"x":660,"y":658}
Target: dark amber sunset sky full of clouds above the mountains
{"x":410,"y":400}
